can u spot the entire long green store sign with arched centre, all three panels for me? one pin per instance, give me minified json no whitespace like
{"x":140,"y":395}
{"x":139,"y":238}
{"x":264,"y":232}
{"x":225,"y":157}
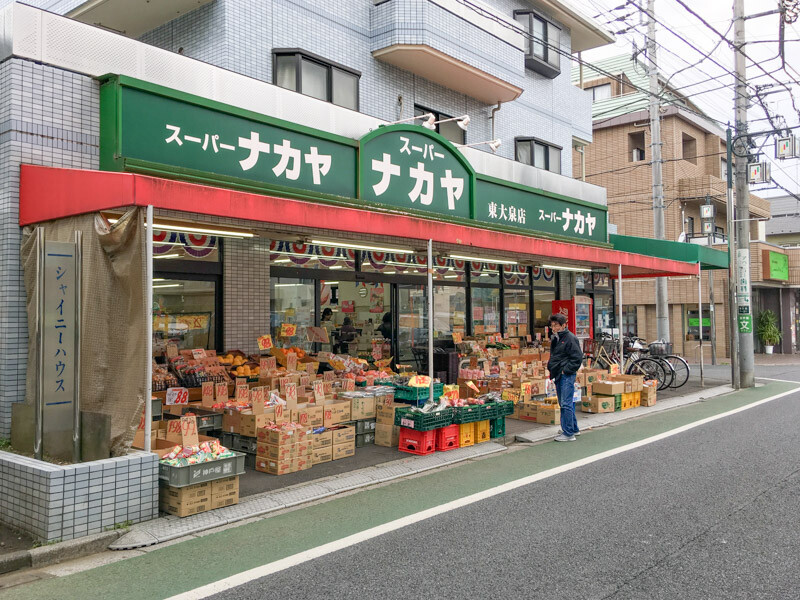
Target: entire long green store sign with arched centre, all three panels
{"x":158,"y":131}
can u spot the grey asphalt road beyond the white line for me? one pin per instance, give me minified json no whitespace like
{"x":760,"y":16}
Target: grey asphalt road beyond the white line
{"x":708,"y":513}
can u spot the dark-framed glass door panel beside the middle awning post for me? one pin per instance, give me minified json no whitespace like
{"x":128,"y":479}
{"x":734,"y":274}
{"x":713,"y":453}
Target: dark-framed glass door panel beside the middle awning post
{"x":412,"y":326}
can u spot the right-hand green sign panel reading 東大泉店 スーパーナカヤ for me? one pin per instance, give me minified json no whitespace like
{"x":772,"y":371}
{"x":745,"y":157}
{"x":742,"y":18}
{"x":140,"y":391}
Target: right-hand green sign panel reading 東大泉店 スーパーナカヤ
{"x":510,"y":205}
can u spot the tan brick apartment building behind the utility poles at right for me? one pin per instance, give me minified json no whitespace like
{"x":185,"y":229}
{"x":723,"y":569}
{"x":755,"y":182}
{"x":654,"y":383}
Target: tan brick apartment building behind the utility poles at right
{"x":694,"y":173}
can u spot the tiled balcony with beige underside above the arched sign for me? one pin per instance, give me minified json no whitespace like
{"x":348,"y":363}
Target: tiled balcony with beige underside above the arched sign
{"x":468,"y":48}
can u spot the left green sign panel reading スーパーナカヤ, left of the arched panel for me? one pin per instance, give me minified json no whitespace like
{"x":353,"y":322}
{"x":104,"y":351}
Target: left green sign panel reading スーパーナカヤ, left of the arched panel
{"x":146,"y":128}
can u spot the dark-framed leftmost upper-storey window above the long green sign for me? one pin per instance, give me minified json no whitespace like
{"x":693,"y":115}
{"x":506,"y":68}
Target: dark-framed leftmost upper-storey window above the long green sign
{"x":316,"y":77}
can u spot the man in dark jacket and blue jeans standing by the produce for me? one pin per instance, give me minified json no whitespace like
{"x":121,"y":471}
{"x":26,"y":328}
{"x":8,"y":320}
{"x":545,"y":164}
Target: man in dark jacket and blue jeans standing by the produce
{"x":566,"y":357}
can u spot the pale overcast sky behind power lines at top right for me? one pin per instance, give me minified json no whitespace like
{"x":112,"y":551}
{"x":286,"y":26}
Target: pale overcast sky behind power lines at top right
{"x":717,"y":103}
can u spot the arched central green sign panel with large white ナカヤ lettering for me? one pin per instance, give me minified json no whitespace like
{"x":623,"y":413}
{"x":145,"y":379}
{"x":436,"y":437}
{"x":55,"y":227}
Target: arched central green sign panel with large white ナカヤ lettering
{"x":410,"y":167}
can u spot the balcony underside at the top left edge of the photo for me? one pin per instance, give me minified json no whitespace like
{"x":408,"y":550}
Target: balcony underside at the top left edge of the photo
{"x":132,"y":17}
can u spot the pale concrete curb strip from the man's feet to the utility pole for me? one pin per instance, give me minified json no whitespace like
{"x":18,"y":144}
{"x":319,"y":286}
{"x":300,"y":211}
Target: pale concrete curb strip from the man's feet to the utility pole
{"x":586,"y":421}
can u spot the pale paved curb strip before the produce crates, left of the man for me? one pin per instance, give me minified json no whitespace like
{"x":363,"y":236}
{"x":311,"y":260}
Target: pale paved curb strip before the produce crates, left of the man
{"x":170,"y":527}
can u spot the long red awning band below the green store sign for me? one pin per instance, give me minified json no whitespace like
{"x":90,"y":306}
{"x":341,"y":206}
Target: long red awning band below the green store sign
{"x":48,"y":193}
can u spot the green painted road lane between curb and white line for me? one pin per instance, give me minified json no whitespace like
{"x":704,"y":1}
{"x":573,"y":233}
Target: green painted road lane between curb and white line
{"x":195,"y":562}
